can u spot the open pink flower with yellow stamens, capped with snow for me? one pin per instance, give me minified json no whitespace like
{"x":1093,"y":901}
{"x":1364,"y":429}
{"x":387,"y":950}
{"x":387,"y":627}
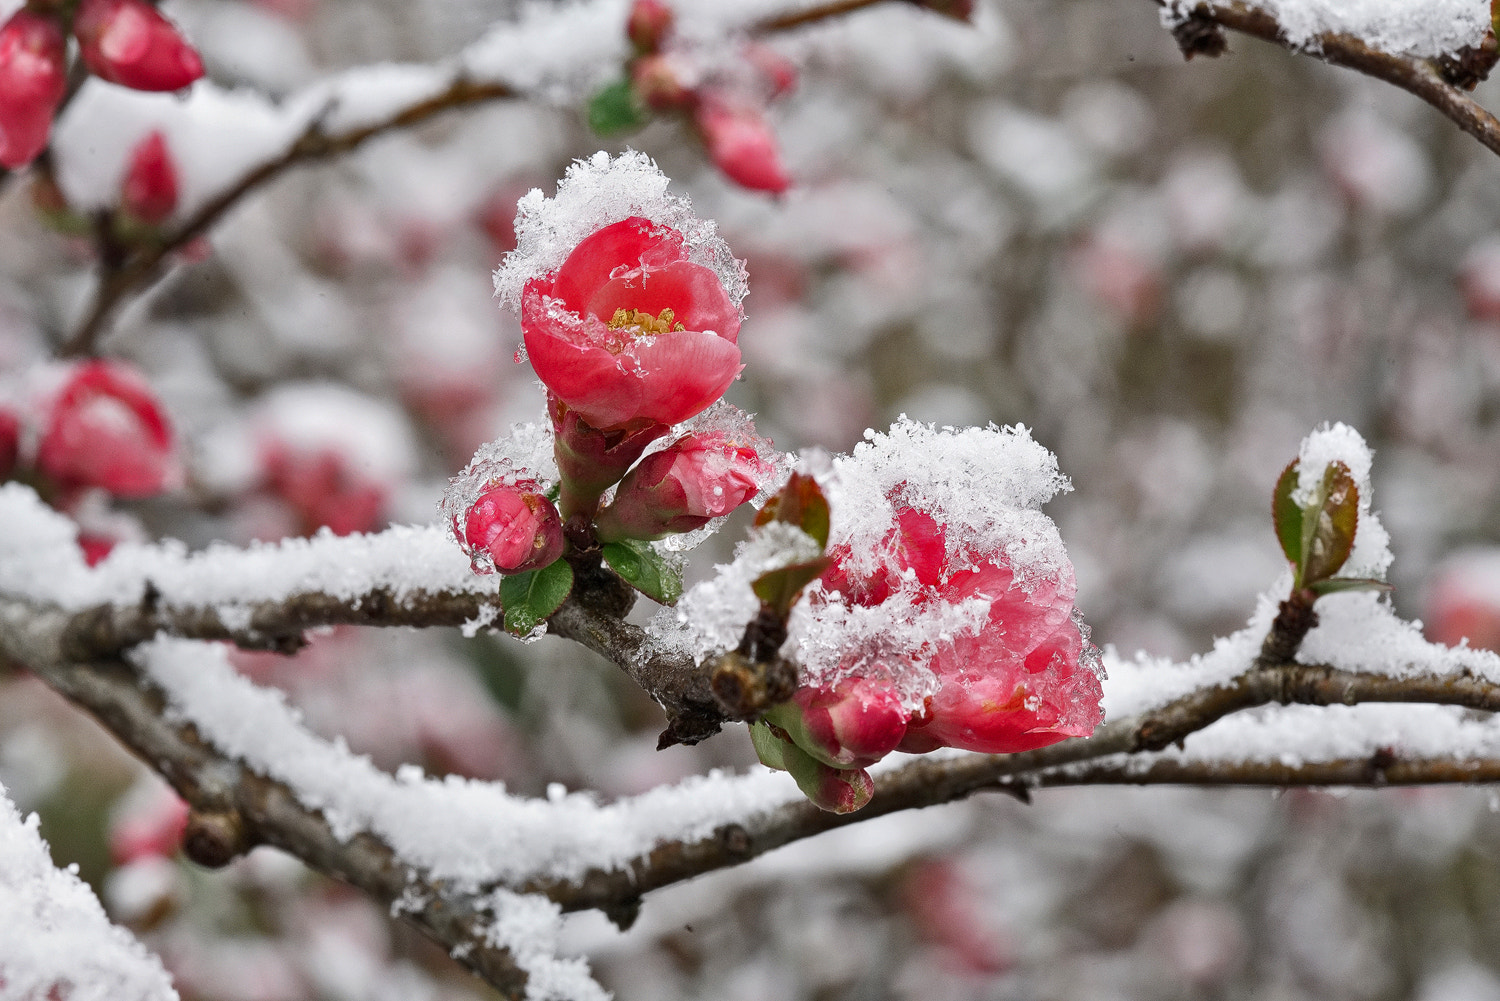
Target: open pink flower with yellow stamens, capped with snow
{"x":631,"y":331}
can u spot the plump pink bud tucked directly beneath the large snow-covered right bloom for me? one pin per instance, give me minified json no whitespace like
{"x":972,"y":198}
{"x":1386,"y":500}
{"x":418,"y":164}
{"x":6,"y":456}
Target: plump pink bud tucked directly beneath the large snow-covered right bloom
{"x":851,"y":726}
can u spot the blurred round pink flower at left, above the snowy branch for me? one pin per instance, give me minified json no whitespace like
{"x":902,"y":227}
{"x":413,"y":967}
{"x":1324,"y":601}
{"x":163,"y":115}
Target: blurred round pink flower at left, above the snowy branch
{"x":107,"y":430}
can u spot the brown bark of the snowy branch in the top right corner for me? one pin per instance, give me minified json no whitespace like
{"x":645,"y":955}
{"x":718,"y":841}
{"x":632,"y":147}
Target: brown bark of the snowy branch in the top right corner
{"x":1201,"y":34}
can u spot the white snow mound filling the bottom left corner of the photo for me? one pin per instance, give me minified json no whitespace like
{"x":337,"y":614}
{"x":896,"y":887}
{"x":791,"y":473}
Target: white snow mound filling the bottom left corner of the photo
{"x":55,"y":939}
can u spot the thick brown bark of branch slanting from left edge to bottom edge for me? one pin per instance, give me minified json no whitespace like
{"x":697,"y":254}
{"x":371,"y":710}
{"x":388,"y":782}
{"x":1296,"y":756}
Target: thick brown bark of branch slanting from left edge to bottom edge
{"x":236,"y":810}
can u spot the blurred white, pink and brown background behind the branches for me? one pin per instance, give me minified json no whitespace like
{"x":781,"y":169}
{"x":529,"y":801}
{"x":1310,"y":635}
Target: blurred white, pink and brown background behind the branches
{"x":1171,"y":272}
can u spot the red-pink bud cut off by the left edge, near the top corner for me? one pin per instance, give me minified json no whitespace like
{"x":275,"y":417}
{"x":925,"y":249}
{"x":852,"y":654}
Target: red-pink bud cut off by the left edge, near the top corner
{"x":34,"y":74}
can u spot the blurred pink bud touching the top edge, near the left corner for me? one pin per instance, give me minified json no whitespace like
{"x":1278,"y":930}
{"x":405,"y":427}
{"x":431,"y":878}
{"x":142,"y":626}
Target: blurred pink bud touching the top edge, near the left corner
{"x":131,"y":44}
